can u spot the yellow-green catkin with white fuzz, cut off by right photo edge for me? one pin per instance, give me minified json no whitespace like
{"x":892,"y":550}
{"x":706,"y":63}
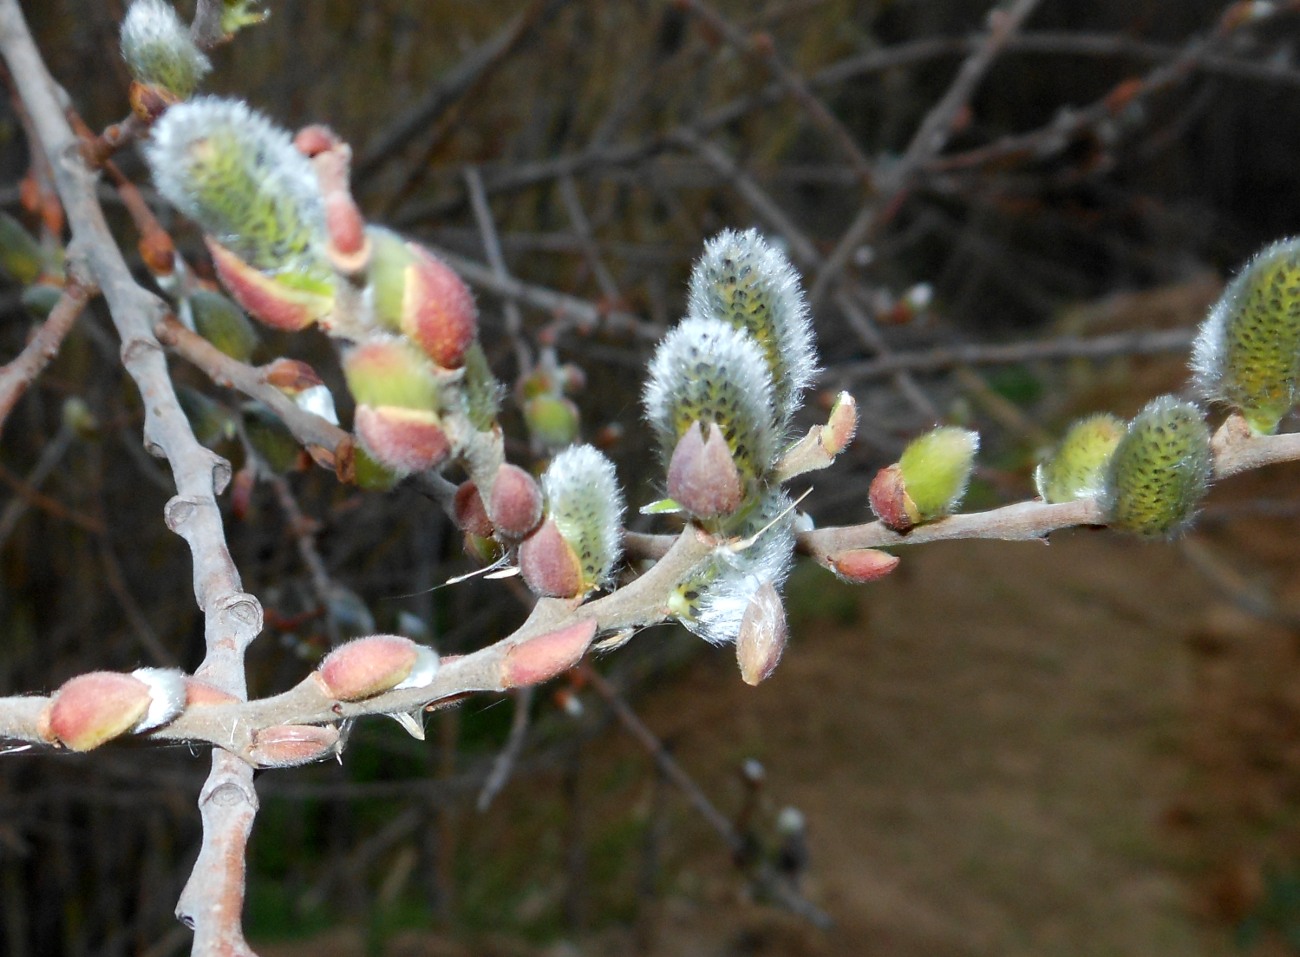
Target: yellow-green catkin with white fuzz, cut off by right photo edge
{"x":1247,"y":353}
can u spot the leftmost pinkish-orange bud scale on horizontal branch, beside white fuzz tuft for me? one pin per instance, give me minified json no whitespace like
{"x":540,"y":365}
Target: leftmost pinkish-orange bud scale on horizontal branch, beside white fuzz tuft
{"x":97,"y":708}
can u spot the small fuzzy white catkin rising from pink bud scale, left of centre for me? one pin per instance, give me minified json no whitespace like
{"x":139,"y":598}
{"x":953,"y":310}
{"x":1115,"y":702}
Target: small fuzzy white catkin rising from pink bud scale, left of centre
{"x":584,"y":500}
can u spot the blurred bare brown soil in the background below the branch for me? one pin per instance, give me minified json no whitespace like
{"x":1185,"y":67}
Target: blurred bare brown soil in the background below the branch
{"x":1080,"y":748}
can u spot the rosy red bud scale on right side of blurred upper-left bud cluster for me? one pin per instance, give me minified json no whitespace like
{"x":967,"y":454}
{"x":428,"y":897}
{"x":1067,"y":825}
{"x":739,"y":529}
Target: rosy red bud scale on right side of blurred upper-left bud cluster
{"x":437,"y":310}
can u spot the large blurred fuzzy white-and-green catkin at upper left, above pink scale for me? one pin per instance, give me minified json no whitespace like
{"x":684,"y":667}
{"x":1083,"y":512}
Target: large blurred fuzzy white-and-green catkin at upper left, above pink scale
{"x":240,"y":177}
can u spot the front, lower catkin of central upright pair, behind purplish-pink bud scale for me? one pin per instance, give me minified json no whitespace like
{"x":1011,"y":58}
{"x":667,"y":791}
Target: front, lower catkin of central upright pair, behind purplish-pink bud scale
{"x":710,"y":374}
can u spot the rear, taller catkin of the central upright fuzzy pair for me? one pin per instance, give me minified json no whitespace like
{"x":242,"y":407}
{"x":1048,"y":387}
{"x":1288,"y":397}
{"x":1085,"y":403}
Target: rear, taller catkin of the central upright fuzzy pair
{"x":749,"y":284}
